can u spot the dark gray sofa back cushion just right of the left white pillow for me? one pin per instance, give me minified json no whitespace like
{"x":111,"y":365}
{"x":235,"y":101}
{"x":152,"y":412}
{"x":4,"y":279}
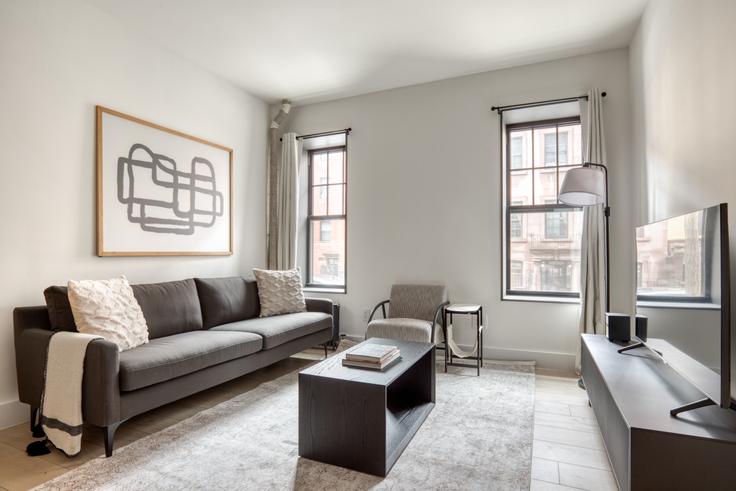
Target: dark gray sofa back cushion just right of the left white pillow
{"x":169,"y":308}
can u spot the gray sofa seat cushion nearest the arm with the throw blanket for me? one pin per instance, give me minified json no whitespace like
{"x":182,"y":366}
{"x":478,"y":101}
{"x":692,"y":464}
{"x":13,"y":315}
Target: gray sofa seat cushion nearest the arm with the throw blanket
{"x":173,"y":356}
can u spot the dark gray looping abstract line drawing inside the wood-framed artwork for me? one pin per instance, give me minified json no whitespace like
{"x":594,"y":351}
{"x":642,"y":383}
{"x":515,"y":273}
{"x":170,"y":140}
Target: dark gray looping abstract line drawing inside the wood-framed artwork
{"x":163,"y":199}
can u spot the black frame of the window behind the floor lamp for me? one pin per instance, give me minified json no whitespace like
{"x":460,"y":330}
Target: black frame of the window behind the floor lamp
{"x":508,"y":209}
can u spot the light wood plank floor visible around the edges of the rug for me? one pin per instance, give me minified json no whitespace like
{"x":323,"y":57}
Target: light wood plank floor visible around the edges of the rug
{"x":567,"y":452}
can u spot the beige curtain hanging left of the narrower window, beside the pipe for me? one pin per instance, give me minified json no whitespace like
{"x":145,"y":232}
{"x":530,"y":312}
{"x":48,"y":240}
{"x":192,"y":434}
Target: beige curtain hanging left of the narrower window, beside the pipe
{"x":287,"y":201}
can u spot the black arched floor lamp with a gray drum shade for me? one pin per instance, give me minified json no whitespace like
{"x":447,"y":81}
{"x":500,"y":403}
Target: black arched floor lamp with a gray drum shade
{"x":588,"y":186}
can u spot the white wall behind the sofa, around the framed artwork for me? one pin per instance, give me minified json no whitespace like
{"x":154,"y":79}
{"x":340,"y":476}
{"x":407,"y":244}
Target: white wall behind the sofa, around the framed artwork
{"x":59,"y":59}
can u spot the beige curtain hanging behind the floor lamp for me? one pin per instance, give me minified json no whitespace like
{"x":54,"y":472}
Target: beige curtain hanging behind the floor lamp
{"x":592,"y":260}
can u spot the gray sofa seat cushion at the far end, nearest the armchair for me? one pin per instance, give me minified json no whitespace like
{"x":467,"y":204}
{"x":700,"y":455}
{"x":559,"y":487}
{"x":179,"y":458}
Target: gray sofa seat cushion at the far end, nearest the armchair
{"x":280,"y":329}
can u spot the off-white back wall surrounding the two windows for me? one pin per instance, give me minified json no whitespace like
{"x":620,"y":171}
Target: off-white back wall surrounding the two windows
{"x":424,"y":195}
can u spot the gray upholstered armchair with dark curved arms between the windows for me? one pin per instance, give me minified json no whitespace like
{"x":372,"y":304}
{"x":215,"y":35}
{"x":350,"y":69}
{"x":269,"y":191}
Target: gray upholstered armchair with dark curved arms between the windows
{"x":414,"y":313}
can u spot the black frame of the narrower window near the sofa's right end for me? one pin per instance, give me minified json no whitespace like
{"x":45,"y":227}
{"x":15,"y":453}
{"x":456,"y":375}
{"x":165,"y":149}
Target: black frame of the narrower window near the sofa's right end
{"x":309,"y":283}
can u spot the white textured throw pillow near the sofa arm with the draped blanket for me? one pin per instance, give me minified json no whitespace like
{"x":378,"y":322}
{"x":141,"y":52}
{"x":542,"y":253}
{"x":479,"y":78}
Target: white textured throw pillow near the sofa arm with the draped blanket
{"x":108,"y":308}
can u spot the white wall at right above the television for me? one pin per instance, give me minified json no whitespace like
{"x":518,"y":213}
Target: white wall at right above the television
{"x":683,"y":80}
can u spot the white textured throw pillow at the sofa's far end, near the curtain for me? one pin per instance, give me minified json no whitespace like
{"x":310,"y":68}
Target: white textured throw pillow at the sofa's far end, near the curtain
{"x":280,"y":292}
